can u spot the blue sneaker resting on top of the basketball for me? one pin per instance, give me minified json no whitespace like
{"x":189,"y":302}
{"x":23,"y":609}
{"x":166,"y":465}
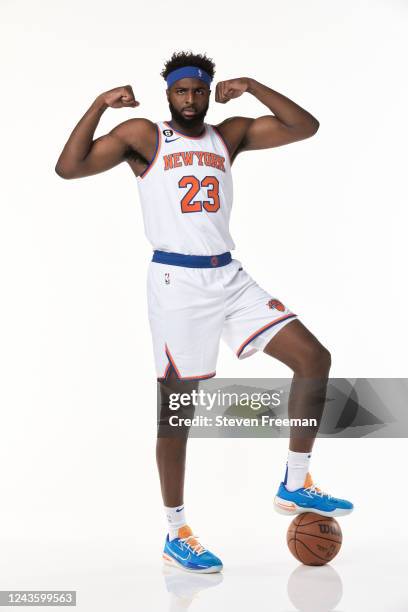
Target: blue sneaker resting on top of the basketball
{"x":310,"y":498}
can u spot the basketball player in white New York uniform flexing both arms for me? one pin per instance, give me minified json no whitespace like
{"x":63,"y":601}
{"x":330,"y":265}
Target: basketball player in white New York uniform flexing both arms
{"x":196,"y":292}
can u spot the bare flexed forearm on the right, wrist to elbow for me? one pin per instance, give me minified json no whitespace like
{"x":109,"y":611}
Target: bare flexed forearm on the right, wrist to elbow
{"x":287,"y":111}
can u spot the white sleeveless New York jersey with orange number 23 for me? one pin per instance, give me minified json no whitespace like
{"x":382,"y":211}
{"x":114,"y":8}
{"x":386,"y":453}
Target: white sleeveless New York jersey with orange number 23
{"x":186,"y":193}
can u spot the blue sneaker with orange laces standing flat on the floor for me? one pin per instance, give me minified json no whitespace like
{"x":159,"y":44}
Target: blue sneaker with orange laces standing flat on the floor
{"x":187,"y":553}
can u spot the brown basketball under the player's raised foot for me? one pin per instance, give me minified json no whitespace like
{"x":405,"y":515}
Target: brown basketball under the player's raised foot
{"x":314,"y":539}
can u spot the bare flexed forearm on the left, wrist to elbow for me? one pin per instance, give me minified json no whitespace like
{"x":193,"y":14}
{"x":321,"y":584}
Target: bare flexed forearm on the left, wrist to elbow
{"x":79,"y":143}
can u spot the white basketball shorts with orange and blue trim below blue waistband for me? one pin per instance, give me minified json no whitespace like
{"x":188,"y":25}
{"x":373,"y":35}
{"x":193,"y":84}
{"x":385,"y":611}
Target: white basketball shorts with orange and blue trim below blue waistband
{"x":190,"y":309}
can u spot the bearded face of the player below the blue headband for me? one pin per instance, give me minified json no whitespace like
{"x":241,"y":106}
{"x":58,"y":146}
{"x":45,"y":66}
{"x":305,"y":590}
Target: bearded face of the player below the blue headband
{"x":188,"y":101}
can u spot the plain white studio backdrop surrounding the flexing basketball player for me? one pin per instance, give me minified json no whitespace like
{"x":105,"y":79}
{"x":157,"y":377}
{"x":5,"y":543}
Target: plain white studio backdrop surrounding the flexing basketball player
{"x":324,"y":229}
